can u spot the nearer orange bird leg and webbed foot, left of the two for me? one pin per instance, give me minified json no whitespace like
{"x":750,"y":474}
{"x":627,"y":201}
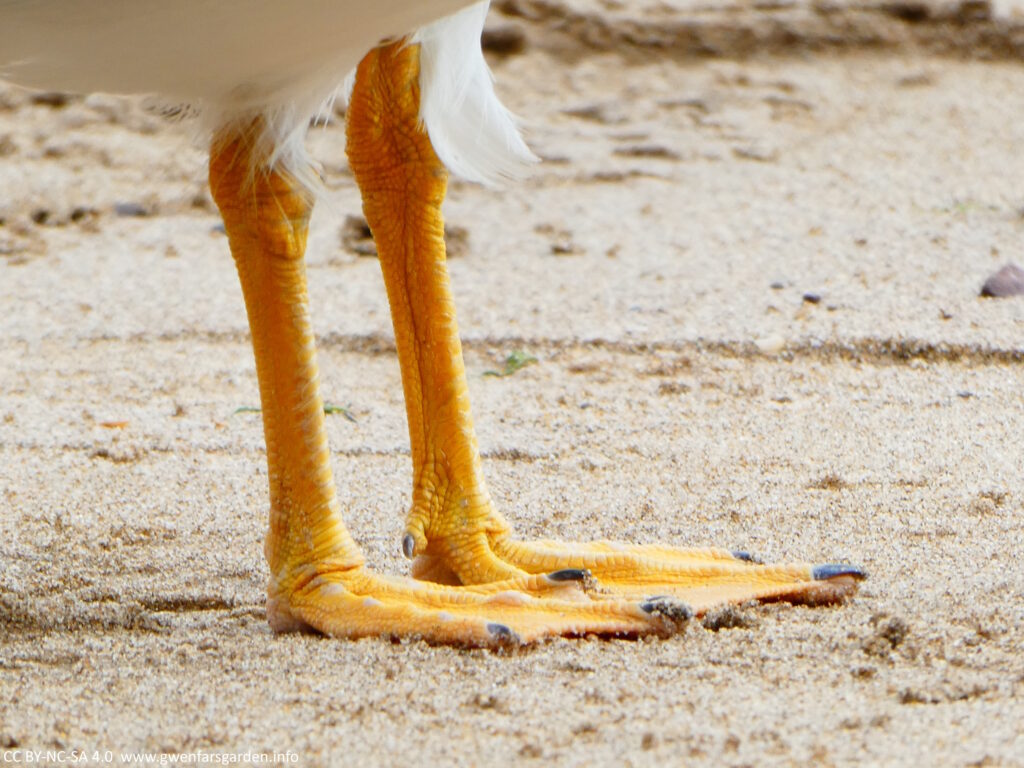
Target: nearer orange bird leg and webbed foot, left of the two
{"x":318,"y":577}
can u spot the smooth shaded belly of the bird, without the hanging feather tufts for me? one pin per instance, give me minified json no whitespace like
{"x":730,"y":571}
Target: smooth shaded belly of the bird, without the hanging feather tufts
{"x":232,"y":54}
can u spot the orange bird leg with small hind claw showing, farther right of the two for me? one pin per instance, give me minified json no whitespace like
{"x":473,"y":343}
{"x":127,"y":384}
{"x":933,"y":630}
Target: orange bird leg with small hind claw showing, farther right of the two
{"x":454,"y":532}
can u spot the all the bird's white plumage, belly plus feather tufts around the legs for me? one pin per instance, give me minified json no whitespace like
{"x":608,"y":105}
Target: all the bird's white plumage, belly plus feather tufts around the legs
{"x":235,"y":60}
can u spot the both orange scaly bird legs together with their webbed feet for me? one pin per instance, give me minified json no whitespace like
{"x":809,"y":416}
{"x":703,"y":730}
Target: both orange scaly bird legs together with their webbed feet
{"x":475,"y":584}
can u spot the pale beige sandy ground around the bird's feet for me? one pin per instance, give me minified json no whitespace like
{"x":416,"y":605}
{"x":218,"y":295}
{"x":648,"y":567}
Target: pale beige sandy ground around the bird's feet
{"x":687,"y":392}
